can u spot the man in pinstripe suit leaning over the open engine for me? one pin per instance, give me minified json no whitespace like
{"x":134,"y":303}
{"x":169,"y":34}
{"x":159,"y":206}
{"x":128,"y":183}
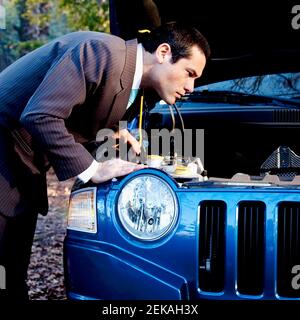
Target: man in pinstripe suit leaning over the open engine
{"x":59,"y":96}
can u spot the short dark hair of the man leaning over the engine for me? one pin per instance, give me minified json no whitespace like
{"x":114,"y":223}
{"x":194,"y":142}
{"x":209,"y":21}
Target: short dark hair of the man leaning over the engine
{"x":180,"y":38}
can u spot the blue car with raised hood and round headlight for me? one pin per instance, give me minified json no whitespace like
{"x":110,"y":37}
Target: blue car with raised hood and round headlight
{"x":224,"y":222}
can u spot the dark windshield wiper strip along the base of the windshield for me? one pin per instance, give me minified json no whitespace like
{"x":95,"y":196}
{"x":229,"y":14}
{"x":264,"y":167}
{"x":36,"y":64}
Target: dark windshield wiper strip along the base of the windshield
{"x":233,"y":97}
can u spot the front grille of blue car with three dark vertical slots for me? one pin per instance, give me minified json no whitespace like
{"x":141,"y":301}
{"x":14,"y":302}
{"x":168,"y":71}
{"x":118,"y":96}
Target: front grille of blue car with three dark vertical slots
{"x":256,"y":261}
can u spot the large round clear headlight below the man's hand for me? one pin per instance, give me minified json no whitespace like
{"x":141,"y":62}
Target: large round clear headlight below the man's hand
{"x":147,"y":207}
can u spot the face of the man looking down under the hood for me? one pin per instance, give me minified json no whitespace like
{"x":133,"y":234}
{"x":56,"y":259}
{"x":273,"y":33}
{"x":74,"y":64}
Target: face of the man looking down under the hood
{"x":173,"y":80}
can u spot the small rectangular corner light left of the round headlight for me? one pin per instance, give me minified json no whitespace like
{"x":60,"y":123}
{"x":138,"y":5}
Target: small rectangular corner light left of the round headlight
{"x":82,"y":211}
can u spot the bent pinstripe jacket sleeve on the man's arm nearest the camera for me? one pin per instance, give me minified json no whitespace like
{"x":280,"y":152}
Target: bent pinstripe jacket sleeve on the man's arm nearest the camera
{"x":63,"y":88}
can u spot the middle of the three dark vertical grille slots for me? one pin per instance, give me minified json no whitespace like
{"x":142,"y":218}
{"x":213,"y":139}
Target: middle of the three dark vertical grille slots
{"x":250,"y":260}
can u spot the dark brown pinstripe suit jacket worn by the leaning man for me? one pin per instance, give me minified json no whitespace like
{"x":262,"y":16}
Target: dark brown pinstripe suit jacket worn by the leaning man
{"x":52,"y":100}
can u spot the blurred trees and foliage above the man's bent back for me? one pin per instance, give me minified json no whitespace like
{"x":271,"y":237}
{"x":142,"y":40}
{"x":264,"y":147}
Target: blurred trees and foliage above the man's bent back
{"x":31,"y":23}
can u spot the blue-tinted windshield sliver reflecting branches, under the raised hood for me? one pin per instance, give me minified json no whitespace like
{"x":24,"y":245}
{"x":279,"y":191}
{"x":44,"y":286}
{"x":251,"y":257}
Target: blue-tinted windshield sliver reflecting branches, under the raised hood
{"x":284,"y":85}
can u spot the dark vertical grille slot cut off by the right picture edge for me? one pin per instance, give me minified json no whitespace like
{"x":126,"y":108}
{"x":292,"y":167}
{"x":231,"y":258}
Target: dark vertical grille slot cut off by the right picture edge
{"x":288,"y":254}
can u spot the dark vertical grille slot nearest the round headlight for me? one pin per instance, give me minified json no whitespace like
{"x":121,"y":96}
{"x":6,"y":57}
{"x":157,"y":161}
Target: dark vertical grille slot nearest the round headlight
{"x":212,"y":246}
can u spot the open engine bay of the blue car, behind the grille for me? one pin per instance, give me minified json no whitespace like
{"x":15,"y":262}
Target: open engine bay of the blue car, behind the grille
{"x":255,"y":153}
